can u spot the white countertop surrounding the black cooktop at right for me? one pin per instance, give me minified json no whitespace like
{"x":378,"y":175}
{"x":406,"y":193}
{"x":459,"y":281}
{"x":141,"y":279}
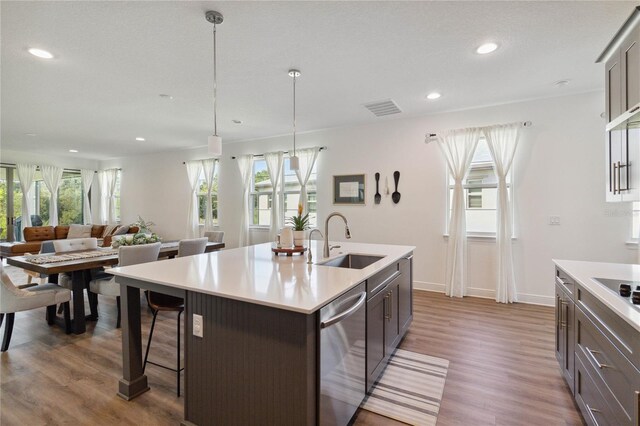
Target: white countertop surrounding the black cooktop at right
{"x":585,"y":272}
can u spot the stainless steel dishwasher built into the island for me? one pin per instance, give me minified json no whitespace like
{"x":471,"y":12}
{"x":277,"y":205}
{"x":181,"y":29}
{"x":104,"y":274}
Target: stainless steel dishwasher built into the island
{"x":342,"y":356}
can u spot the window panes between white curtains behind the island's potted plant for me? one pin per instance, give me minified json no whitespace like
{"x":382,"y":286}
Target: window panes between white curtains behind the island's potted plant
{"x":261,"y":196}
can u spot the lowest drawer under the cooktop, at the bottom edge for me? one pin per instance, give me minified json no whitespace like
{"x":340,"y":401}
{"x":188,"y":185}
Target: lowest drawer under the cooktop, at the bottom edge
{"x":592,"y":404}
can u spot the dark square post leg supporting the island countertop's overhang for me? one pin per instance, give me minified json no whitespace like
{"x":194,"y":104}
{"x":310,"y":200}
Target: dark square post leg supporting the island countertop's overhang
{"x":133,"y":382}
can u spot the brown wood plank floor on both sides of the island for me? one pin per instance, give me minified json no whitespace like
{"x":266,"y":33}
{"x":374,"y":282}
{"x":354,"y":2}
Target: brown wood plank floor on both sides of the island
{"x":502,"y":368}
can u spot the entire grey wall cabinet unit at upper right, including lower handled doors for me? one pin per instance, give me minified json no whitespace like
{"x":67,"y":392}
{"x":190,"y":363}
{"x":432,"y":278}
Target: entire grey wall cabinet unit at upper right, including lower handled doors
{"x":622,"y":111}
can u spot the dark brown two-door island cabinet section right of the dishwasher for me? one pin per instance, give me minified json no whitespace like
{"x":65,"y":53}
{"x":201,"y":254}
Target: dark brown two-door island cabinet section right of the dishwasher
{"x":389,"y":314}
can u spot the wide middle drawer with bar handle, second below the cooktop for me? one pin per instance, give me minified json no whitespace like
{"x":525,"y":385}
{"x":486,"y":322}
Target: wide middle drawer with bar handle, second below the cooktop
{"x":620,"y":379}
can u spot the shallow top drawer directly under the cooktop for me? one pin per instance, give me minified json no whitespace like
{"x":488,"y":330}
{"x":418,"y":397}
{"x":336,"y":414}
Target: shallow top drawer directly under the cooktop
{"x":621,"y":334}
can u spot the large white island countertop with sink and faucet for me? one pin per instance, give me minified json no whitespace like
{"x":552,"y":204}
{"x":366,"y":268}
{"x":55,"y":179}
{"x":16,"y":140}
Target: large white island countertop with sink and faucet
{"x":255,"y":274}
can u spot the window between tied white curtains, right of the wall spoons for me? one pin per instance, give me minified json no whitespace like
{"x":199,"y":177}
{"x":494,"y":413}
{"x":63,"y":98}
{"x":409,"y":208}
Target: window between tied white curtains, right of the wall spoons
{"x":480,"y":192}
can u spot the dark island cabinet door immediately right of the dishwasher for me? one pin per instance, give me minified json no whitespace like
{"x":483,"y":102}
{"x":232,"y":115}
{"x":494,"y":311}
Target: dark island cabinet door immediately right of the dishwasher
{"x":376,"y":310}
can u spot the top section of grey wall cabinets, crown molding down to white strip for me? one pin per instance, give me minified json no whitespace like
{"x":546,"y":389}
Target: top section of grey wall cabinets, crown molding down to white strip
{"x":622,"y":75}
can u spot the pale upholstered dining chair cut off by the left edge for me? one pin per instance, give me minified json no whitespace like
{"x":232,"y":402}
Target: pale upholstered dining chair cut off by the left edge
{"x":24,"y":298}
